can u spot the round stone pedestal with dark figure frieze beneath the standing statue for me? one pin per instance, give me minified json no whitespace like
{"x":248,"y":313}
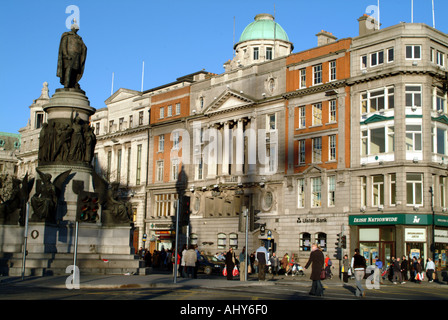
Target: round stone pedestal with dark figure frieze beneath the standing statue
{"x":68,"y":112}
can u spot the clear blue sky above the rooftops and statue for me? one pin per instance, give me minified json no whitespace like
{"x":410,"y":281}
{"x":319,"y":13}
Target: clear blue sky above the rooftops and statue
{"x":174,"y":38}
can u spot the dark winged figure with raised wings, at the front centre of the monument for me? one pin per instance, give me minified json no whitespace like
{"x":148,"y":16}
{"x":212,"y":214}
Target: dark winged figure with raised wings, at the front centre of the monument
{"x":45,"y":201}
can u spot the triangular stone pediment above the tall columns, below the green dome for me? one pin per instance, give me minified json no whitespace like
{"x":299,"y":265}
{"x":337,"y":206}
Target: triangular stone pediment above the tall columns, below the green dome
{"x":229,"y":101}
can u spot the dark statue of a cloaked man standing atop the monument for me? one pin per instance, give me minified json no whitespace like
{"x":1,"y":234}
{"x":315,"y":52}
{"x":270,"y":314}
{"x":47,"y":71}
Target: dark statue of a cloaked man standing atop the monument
{"x":72,"y":58}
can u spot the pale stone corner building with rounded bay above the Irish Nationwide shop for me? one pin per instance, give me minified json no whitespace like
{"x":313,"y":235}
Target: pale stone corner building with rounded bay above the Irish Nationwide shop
{"x":398,"y":141}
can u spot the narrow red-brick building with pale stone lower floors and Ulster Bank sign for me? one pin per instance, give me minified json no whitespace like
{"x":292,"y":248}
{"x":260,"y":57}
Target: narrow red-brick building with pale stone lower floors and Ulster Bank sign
{"x":318,"y":145}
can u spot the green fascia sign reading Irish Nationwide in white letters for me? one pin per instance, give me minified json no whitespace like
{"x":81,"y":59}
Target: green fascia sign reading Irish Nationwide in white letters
{"x":393,"y":219}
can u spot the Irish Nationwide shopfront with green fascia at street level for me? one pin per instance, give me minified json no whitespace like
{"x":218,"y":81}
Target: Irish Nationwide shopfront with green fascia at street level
{"x":391,"y":235}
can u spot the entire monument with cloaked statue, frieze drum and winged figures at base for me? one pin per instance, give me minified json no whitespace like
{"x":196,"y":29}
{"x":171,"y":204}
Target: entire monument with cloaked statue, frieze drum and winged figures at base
{"x":67,"y":191}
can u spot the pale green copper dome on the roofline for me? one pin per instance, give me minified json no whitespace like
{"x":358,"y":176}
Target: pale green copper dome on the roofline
{"x":264,"y":27}
